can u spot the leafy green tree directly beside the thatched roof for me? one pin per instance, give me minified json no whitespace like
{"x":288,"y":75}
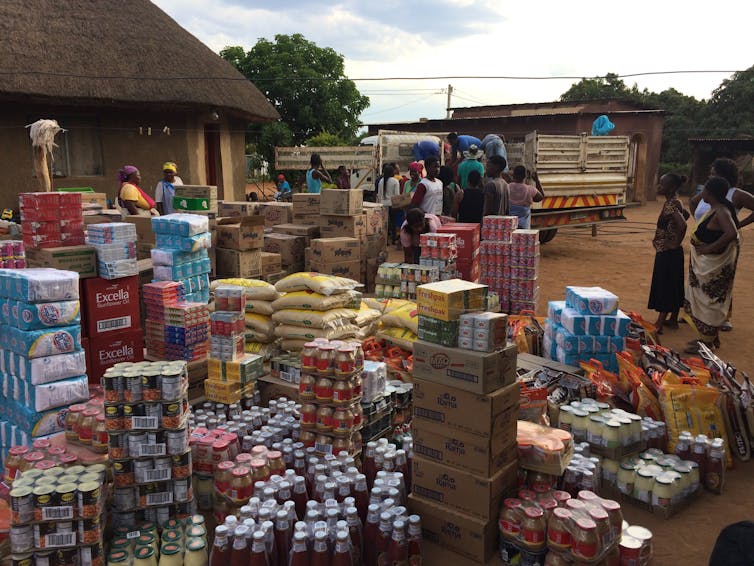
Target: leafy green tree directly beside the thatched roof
{"x":306,"y":84}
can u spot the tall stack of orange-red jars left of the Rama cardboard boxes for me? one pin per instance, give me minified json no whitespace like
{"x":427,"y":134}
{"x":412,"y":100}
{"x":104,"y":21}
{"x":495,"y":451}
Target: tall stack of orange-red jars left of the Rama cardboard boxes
{"x":330,"y":392}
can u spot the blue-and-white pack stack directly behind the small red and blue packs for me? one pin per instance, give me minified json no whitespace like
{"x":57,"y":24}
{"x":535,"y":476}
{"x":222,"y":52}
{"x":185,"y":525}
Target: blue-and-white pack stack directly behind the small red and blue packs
{"x":181,"y":243}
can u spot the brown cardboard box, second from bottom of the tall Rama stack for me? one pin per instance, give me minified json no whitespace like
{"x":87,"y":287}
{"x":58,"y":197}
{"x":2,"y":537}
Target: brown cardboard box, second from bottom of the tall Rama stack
{"x":468,"y":493}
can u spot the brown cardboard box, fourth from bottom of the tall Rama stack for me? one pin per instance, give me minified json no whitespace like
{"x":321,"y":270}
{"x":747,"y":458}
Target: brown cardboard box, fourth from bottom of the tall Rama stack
{"x":489,"y":416}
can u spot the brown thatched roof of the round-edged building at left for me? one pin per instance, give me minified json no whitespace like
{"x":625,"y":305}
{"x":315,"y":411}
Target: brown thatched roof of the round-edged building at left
{"x":115,"y":52}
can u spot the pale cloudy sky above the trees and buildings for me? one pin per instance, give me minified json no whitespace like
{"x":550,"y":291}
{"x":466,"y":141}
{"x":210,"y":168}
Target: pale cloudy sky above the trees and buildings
{"x":542,"y":38}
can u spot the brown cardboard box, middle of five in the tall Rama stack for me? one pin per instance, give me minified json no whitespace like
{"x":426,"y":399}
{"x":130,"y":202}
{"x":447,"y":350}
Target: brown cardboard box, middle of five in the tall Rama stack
{"x":464,"y":450}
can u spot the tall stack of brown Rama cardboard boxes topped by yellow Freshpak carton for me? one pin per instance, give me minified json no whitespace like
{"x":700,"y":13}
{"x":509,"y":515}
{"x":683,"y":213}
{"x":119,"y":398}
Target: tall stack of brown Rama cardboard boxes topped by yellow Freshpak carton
{"x":464,"y":427}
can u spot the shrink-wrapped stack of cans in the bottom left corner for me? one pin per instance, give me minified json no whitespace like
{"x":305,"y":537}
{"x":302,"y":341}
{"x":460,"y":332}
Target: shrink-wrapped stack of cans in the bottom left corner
{"x":60,"y":510}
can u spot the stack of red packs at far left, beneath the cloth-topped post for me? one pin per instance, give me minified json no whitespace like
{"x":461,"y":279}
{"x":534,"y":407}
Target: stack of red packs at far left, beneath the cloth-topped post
{"x":51,"y":220}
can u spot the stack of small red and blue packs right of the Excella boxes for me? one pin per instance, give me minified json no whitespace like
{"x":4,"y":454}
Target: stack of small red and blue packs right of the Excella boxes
{"x":175,"y":328}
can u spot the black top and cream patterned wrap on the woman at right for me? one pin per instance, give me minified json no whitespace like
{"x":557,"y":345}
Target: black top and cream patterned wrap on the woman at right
{"x":709,"y":289}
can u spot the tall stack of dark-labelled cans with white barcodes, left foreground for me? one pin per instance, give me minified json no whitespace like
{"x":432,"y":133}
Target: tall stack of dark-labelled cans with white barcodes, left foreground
{"x":146,"y":417}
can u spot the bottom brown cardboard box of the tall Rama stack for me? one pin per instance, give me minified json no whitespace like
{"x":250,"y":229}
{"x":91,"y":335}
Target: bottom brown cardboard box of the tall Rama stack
{"x":474,"y":538}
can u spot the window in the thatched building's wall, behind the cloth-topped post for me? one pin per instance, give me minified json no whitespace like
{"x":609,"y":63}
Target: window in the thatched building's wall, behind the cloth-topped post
{"x":79,"y":151}
